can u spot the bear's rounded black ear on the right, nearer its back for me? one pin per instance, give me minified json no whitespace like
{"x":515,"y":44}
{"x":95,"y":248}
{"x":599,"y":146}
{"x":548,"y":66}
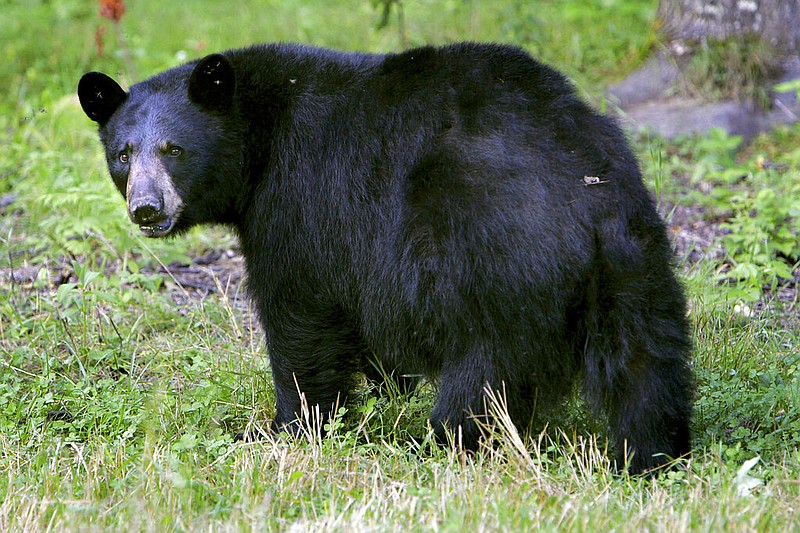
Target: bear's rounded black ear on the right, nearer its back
{"x":212,"y":83}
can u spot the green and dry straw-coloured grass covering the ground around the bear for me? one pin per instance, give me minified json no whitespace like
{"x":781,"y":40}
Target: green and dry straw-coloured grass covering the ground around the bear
{"x":121,"y":389}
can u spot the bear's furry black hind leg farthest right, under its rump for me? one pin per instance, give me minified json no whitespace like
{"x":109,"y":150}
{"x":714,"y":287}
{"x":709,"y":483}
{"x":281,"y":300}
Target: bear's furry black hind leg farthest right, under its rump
{"x":638,"y":370}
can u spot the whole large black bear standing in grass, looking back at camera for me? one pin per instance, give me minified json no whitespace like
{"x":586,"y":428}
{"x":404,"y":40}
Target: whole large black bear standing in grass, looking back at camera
{"x":455,"y":212}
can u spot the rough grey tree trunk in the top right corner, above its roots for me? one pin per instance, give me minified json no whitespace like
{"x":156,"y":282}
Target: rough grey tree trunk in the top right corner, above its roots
{"x":776,"y":22}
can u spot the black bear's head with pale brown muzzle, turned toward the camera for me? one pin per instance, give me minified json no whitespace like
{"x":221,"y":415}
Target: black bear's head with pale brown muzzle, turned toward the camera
{"x":173,"y":145}
